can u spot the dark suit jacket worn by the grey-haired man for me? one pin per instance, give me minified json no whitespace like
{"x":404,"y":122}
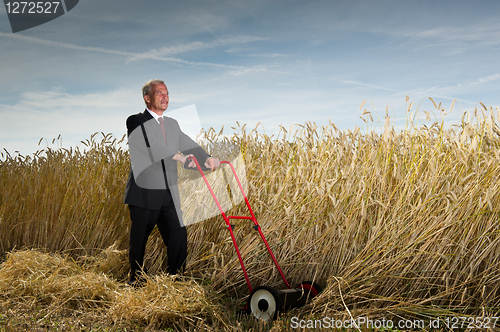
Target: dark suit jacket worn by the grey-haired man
{"x":153,"y":173}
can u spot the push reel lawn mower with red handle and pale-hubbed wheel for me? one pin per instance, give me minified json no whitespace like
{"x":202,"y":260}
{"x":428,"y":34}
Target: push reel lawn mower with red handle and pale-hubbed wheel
{"x":264,"y":302}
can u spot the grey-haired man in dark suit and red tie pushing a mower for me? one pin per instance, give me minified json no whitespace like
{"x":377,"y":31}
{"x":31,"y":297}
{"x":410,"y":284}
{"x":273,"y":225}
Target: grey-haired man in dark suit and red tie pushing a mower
{"x":156,"y":146}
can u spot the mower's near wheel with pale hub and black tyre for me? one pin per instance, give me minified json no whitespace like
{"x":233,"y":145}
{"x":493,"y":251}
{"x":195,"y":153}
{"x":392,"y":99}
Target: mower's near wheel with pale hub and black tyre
{"x":264,"y":303}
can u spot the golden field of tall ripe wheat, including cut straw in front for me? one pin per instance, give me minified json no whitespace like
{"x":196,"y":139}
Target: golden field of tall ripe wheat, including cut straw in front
{"x":392,"y":223}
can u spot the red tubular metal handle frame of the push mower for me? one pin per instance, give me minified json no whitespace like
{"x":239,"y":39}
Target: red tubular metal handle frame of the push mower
{"x":230,"y":228}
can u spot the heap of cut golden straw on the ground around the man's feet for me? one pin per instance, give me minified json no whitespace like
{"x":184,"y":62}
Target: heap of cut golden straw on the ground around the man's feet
{"x":32,"y":279}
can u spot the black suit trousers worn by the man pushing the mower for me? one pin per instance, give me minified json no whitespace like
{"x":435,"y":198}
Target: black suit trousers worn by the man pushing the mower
{"x":173,"y":234}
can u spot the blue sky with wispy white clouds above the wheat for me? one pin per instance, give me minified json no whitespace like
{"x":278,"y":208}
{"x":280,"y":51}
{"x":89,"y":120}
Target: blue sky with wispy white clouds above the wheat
{"x":273,"y":62}
